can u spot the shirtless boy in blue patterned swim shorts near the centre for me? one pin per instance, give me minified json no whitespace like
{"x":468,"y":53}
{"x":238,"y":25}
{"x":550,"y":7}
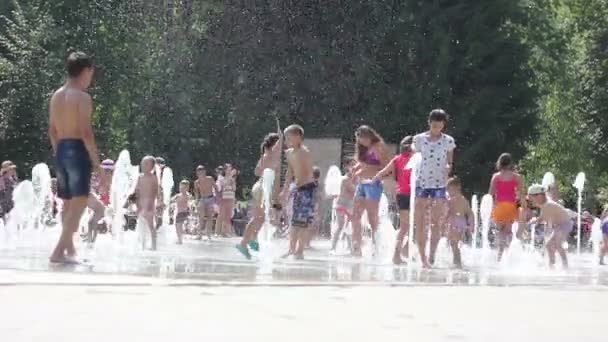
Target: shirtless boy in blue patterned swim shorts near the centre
{"x":299,"y":169}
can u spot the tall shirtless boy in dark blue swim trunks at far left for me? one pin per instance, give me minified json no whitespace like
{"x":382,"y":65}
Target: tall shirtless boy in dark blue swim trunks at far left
{"x":75,"y":150}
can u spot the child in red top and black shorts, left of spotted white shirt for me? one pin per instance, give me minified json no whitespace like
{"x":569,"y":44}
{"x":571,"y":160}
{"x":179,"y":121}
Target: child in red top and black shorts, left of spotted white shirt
{"x":402,"y":191}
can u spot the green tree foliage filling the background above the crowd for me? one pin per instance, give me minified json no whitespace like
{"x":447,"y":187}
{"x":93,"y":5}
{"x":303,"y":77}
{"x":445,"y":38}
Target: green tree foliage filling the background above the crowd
{"x":200,"y":82}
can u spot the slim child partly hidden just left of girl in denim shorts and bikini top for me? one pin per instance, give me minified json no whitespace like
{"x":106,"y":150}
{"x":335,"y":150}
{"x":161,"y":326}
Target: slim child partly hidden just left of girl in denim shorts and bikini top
{"x":344,"y":203}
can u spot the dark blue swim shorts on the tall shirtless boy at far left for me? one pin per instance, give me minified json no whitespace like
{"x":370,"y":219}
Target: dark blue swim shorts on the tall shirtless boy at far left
{"x":73,"y":169}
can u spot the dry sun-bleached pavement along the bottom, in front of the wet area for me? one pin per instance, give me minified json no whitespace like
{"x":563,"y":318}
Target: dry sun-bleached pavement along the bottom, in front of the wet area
{"x":119,"y":313}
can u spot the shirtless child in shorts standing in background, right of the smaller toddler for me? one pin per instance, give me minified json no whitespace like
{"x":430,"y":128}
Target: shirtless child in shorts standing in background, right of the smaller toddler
{"x":204,"y":189}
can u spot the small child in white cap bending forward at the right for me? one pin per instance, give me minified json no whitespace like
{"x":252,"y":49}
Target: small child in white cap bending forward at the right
{"x":557,"y":219}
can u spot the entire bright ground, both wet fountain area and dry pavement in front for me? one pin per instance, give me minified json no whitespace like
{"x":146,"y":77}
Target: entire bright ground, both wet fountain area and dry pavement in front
{"x":208,"y":292}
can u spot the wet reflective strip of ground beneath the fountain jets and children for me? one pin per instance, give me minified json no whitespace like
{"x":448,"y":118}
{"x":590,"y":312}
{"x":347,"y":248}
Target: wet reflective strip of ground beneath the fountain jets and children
{"x":217,"y":262}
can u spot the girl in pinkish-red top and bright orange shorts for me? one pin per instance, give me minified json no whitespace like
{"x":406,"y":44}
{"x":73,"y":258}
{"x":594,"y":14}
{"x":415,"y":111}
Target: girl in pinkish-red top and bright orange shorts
{"x":505,"y":187}
